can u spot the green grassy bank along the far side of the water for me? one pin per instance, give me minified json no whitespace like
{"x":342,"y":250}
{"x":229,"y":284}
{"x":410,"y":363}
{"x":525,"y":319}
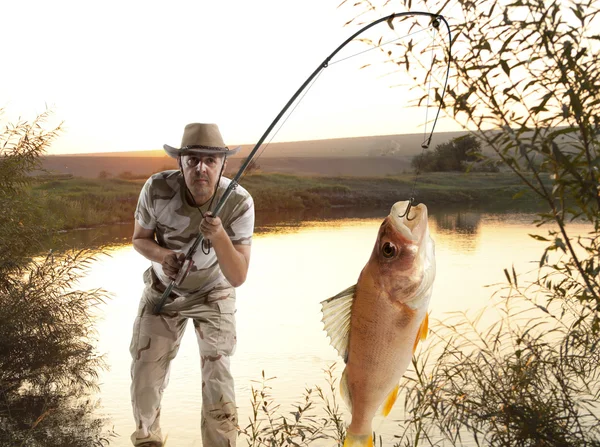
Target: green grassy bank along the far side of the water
{"x":76,"y":202}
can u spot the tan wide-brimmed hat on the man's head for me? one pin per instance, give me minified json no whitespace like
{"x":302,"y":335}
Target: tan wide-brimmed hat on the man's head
{"x":201,"y":139}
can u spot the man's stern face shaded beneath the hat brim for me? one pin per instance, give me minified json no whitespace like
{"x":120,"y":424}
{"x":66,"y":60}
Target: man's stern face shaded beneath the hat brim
{"x":201,"y":174}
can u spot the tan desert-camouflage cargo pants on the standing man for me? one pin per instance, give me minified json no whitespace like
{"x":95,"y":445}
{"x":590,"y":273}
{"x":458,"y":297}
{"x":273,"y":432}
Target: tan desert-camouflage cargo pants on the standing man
{"x":155,"y":342}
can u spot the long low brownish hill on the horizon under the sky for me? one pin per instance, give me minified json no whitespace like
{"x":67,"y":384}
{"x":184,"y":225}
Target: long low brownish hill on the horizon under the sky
{"x":360,"y":156}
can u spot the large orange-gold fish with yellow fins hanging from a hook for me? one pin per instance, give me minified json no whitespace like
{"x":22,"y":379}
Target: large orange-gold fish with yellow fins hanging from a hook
{"x":376,"y":324}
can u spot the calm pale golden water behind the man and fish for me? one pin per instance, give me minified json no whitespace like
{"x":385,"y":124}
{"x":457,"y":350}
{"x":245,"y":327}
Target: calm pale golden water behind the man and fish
{"x":294,"y":266}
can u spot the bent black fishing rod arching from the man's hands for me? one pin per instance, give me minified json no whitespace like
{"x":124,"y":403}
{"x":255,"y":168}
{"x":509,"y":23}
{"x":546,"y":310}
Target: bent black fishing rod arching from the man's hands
{"x":187,"y":263}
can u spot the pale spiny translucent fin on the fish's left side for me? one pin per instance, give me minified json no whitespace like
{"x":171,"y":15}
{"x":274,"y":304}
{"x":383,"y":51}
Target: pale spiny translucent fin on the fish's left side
{"x":336,"y":319}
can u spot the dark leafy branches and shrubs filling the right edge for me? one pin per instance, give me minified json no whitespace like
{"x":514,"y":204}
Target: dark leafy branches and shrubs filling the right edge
{"x":530,"y":69}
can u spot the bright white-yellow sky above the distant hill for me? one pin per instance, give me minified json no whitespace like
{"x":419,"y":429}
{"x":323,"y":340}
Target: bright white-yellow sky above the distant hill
{"x":128,"y":75}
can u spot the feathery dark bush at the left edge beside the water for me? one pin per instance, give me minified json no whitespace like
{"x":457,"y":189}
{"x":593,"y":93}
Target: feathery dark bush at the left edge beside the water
{"x":48,"y":363}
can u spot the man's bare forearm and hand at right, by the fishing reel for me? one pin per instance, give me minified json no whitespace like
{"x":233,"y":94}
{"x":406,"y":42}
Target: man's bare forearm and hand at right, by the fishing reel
{"x":233,"y":259}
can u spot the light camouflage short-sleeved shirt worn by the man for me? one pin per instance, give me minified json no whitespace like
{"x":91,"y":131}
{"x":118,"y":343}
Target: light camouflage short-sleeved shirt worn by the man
{"x":162,"y":207}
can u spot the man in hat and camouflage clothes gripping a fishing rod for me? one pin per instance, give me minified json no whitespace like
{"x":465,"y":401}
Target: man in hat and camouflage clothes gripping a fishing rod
{"x":173,"y":207}
